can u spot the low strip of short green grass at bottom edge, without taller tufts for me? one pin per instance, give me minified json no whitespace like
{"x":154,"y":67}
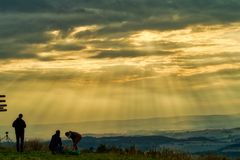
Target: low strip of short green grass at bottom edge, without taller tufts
{"x":43,"y":155}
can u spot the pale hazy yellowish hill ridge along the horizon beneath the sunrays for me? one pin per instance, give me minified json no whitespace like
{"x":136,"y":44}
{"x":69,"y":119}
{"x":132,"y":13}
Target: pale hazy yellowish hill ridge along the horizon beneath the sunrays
{"x":150,"y":126}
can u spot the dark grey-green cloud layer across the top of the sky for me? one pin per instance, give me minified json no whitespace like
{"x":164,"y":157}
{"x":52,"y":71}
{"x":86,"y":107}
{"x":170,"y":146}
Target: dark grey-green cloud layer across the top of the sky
{"x":25,"y":22}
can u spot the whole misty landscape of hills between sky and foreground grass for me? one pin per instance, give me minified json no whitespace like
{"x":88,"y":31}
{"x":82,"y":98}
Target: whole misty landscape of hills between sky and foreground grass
{"x":216,"y":137}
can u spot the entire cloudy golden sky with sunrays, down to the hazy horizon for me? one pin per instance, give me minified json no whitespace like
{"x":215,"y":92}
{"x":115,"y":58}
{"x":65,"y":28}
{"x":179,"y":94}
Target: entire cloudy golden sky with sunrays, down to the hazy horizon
{"x":88,"y":60}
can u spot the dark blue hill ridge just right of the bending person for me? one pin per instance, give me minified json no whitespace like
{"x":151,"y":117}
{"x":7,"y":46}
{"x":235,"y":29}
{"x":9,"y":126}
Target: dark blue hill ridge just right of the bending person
{"x":141,"y":142}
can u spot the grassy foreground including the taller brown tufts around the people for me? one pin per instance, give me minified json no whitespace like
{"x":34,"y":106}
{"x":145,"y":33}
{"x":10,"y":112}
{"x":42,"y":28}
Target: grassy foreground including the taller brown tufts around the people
{"x":35,"y":150}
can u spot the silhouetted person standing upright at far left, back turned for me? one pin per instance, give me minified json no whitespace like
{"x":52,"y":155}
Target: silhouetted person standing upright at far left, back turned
{"x":19,"y":125}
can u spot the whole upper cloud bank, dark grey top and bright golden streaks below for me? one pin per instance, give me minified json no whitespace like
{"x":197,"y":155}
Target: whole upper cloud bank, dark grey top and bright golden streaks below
{"x":183,"y":33}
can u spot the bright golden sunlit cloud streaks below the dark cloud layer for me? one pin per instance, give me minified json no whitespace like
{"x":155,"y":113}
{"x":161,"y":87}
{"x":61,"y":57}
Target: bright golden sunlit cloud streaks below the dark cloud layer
{"x":195,"y":40}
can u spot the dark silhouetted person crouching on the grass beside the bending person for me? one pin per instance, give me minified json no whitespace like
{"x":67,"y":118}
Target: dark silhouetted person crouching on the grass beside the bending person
{"x":55,"y":145}
